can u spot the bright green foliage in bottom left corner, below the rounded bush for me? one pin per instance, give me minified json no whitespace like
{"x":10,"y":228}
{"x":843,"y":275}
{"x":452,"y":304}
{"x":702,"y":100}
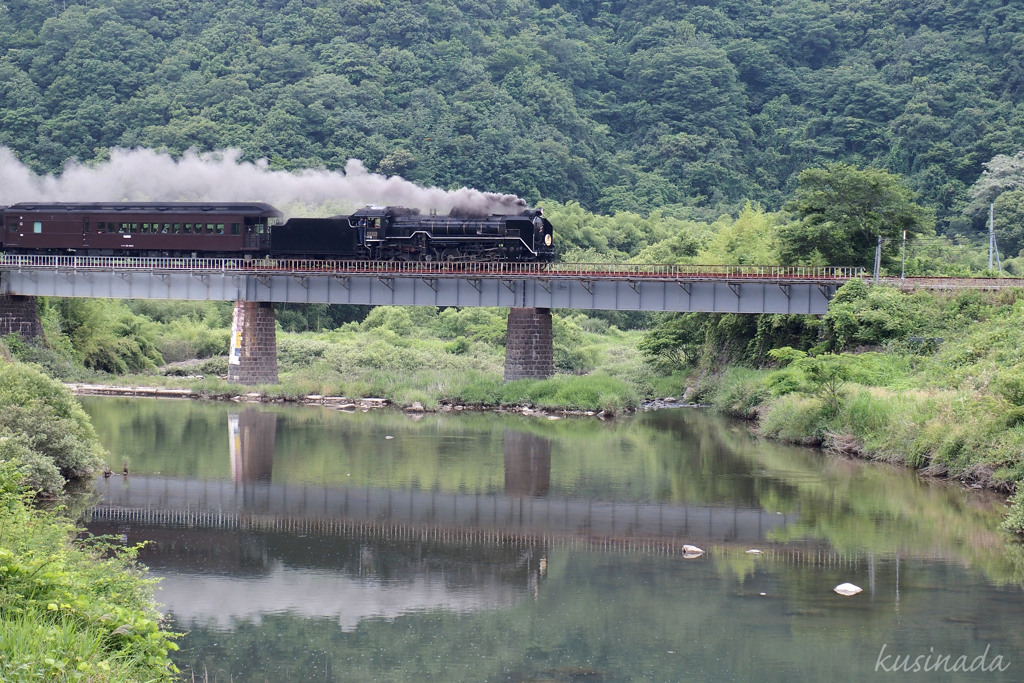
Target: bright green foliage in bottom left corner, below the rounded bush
{"x":72,"y":611}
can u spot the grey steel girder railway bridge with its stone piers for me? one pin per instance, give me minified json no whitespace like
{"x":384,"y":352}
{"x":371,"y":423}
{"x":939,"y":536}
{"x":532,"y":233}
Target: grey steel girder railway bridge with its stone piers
{"x":529,"y":290}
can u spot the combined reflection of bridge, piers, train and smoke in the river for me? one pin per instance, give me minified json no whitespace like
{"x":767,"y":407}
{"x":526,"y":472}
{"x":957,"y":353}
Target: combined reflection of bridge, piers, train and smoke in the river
{"x":242,"y":549}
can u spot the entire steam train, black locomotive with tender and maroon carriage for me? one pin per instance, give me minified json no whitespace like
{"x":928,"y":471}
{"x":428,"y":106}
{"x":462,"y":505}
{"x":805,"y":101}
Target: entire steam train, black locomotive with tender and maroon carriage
{"x":258,"y":231}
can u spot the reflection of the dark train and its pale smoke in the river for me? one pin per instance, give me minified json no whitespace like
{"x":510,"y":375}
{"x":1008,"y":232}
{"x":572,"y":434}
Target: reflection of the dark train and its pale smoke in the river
{"x":221,"y":579}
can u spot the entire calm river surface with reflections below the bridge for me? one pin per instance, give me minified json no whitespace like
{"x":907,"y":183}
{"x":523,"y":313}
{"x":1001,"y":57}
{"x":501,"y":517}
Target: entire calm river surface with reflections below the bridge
{"x":306,"y":544}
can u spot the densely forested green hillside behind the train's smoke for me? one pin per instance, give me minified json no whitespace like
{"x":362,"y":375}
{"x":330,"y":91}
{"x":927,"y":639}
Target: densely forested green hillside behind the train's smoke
{"x":688,"y":106}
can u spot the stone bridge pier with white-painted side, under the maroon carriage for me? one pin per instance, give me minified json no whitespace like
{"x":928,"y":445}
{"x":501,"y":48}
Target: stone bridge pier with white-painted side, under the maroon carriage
{"x":253,"y":357}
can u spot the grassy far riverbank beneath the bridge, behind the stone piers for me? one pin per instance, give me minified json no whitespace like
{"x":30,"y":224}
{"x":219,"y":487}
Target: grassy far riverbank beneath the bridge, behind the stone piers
{"x":403,"y":355}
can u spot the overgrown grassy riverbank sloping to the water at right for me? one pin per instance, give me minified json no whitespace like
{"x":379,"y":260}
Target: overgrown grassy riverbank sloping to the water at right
{"x":935,"y":383}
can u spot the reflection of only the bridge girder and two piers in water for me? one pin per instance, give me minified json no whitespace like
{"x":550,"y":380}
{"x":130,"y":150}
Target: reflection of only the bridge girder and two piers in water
{"x":525,"y":511}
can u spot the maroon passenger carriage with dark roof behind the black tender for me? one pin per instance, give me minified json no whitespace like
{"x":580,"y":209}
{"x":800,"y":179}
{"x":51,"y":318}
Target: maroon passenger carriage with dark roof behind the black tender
{"x":140,"y":229}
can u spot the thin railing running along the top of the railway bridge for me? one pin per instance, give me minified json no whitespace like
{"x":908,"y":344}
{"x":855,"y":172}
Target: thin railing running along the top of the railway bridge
{"x":429,"y":269}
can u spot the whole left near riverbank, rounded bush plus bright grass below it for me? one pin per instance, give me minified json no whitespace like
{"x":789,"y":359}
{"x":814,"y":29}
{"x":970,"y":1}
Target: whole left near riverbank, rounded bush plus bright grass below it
{"x":70,"y":610}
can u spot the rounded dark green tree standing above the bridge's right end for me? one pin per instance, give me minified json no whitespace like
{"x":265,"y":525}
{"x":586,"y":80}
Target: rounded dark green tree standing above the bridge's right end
{"x":842,"y":211}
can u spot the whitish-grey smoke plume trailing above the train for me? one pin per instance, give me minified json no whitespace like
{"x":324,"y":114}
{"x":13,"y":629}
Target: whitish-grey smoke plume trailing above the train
{"x":146,"y":176}
